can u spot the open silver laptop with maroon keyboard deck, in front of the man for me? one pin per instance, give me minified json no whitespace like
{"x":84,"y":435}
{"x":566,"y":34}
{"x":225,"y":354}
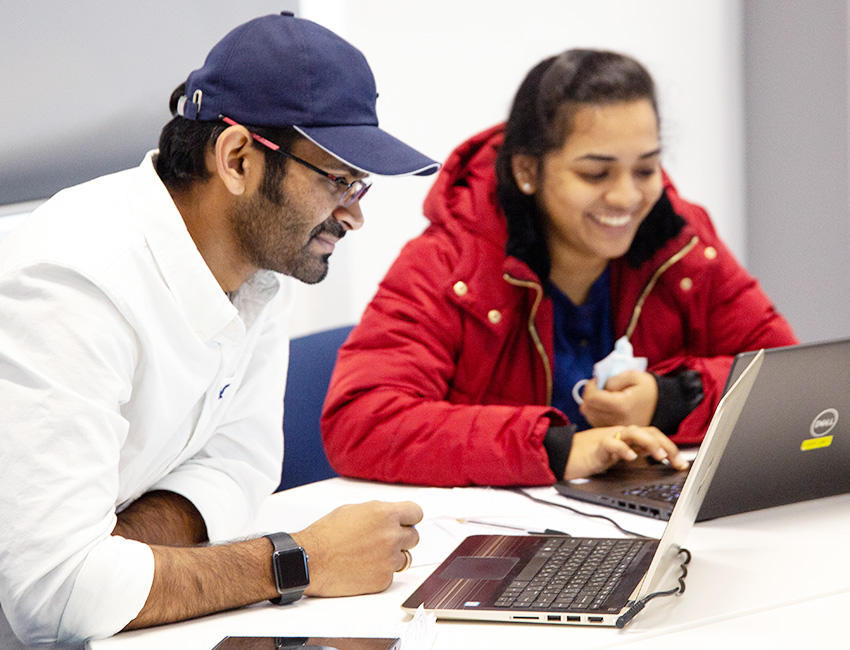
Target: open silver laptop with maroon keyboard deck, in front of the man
{"x":560,"y":579}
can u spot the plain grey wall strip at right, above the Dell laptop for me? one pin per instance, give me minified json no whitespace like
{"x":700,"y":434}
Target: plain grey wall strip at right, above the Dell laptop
{"x":797,"y":125}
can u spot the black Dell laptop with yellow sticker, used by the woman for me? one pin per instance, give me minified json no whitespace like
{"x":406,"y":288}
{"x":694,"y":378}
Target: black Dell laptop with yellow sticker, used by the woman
{"x":790,"y":443}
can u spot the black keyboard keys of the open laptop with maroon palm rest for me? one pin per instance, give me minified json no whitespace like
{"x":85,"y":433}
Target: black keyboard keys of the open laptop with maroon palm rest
{"x":569,"y":573}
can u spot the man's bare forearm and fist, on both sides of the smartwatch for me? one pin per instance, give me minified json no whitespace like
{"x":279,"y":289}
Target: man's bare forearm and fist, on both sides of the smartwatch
{"x":354,"y":549}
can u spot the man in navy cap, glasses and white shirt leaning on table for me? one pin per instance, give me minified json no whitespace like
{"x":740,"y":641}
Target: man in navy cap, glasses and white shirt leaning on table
{"x":143,"y":352}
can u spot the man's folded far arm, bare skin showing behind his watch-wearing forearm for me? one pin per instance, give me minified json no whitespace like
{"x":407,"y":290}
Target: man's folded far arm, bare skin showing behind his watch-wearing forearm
{"x":162,"y":517}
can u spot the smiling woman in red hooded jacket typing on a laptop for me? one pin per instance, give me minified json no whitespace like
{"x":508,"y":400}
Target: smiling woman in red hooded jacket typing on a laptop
{"x":551,"y":237}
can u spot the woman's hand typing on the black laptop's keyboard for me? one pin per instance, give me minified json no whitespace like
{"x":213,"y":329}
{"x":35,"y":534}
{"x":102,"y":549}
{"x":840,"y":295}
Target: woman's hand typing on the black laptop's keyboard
{"x":595,"y":450}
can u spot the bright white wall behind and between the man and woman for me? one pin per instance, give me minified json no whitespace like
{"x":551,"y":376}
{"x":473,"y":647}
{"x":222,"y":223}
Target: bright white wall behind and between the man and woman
{"x":447,"y":69}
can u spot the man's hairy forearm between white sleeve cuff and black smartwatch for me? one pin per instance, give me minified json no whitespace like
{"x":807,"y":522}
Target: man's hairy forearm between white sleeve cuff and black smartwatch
{"x":191,"y":582}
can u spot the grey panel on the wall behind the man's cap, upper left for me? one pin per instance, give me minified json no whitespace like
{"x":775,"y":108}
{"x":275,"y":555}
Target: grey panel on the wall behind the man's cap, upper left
{"x":85,"y":84}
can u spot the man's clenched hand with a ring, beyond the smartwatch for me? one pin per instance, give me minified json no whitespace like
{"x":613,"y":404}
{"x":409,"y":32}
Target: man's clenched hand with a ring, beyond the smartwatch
{"x":356,"y":548}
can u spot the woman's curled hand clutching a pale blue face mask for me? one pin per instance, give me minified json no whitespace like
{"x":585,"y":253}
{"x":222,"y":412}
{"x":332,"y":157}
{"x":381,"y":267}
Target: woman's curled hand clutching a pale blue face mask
{"x":628,"y":398}
